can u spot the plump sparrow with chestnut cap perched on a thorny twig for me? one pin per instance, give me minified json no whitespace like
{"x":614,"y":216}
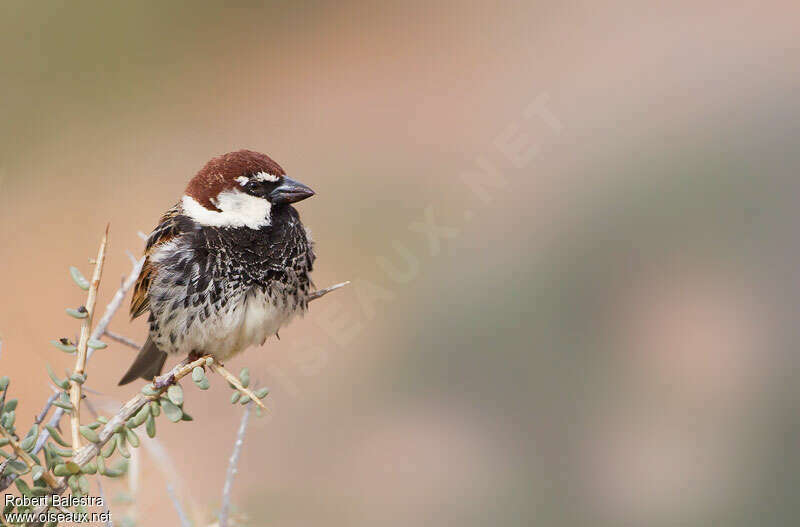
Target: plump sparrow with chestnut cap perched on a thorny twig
{"x":226,"y":267}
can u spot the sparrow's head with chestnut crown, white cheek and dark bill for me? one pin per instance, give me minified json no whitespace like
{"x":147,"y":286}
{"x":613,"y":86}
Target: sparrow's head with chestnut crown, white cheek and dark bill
{"x":240,"y":189}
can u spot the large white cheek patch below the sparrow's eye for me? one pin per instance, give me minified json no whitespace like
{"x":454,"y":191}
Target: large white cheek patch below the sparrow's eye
{"x":237,"y":210}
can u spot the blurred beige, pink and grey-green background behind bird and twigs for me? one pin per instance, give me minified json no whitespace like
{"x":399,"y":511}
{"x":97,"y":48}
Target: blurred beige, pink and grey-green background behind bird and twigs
{"x":568,"y":227}
